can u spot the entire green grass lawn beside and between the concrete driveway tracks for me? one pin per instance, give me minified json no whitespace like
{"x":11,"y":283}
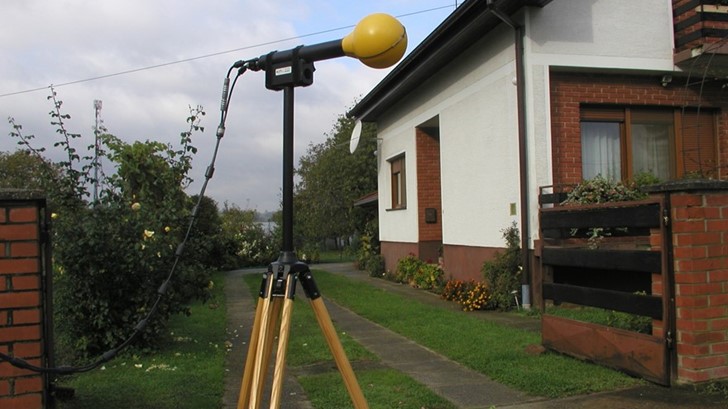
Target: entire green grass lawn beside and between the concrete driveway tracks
{"x":187,"y":373}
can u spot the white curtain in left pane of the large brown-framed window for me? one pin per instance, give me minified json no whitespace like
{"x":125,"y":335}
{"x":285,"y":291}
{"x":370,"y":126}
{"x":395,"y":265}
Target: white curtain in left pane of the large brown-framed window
{"x":600,"y":150}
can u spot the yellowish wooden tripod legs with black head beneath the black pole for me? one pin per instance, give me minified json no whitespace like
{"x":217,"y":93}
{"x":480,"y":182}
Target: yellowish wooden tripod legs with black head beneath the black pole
{"x":275,"y":306}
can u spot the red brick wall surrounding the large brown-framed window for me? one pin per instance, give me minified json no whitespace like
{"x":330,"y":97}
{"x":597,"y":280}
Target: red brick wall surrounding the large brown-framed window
{"x":570,"y":90}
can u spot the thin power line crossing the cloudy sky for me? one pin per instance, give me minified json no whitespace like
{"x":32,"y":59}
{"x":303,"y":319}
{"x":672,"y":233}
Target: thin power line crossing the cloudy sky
{"x":200,"y":57}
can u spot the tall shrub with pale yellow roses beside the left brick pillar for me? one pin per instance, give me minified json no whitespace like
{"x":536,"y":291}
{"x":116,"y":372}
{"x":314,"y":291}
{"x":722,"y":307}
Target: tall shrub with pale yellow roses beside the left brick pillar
{"x":112,"y":252}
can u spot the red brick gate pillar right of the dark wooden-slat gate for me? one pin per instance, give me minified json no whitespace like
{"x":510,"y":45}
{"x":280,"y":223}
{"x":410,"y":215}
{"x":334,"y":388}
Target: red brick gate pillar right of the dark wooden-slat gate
{"x":700,"y":251}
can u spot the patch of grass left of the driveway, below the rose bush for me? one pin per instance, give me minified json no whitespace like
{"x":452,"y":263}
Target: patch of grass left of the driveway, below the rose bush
{"x":186,"y":373}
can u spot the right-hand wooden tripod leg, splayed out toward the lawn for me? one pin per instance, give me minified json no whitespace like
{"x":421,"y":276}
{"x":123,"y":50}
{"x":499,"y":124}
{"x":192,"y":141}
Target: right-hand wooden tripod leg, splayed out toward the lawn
{"x":337,"y":350}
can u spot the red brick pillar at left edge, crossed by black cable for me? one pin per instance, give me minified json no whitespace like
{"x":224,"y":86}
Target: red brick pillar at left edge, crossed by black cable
{"x":21,"y":299}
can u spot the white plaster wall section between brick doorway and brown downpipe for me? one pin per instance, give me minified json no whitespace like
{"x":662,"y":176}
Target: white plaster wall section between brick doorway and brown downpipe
{"x":479,"y":155}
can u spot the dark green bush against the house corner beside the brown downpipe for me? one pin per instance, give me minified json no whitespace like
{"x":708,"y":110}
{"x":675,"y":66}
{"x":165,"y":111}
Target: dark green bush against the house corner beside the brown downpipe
{"x":503,"y":272}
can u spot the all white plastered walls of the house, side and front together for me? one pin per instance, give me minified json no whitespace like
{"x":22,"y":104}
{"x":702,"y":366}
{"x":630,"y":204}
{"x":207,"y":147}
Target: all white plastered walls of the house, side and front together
{"x":475,"y":100}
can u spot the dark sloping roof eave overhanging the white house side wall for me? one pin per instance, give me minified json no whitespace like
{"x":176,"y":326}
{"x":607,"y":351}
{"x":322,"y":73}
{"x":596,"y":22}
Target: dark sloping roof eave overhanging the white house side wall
{"x":468,"y":23}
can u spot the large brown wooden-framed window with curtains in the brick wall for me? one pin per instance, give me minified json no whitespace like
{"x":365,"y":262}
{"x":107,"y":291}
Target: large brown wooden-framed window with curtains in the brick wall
{"x":619,"y":143}
